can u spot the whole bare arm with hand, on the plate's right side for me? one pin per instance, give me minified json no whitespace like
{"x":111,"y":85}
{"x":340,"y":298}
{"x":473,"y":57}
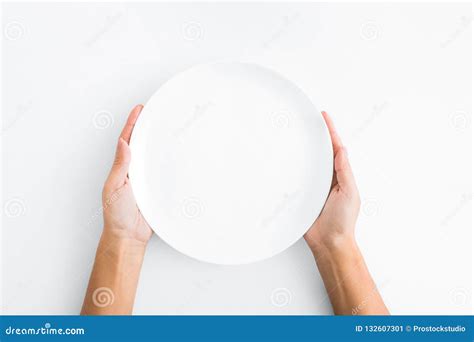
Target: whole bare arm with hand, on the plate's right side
{"x":346,"y":277}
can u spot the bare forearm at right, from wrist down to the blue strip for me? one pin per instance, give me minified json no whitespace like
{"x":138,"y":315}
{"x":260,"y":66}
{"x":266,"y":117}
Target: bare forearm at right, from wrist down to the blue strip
{"x":346,"y":277}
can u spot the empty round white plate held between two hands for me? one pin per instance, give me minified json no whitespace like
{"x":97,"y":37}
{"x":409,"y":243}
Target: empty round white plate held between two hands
{"x":231,"y":163}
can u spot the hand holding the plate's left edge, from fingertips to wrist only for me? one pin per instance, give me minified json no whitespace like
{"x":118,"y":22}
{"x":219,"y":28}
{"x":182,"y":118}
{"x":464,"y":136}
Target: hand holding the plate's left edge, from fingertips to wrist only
{"x":122,"y":218}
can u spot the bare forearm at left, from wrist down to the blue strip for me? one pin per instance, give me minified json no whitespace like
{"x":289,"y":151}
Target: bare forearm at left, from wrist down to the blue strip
{"x":114,"y":279}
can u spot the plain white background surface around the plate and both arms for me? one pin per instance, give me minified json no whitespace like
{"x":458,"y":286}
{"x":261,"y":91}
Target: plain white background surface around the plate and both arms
{"x":396,"y":79}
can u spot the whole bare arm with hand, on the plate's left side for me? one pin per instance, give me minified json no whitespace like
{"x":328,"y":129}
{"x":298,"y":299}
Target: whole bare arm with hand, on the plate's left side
{"x":114,"y":279}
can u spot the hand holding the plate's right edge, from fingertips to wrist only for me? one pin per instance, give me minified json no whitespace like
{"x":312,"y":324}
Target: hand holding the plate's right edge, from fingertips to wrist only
{"x":335,"y":224}
